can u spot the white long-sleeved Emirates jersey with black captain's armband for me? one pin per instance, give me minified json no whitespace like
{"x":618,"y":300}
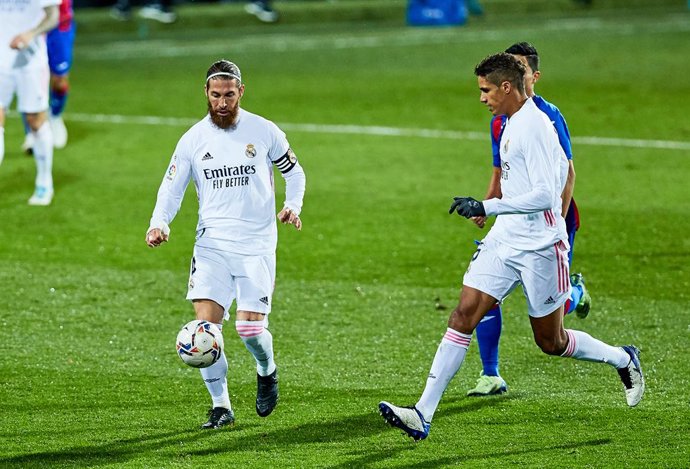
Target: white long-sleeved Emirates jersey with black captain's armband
{"x":232,"y":171}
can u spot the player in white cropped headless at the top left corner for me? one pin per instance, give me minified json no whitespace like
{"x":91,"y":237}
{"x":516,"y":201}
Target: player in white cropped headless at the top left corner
{"x":24,"y":72}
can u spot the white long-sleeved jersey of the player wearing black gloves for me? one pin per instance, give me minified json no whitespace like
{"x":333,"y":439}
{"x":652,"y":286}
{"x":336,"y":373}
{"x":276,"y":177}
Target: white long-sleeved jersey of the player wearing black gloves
{"x":533,"y":174}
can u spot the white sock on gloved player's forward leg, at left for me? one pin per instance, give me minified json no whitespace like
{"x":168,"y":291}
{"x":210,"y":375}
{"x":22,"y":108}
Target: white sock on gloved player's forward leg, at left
{"x":449,"y":357}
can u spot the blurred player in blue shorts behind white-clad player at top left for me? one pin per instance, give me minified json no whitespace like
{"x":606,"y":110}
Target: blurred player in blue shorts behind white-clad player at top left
{"x":60,"y":43}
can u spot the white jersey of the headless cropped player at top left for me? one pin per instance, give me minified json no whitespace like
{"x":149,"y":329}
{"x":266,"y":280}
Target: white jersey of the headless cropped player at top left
{"x":19,"y":16}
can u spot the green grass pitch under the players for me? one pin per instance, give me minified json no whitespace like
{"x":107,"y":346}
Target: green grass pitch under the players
{"x":387,"y":123}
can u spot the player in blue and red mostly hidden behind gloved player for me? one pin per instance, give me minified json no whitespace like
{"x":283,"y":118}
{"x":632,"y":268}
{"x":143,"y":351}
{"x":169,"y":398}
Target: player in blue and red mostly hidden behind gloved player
{"x":488,"y":330}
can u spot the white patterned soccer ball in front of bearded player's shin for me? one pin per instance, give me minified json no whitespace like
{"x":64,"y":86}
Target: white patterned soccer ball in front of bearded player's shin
{"x":199,"y":343}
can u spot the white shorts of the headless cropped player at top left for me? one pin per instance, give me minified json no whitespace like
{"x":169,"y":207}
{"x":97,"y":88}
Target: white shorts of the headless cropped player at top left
{"x":31,"y":86}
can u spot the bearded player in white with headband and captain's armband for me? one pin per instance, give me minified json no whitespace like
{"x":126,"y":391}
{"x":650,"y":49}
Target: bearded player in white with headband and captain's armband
{"x":230,"y":155}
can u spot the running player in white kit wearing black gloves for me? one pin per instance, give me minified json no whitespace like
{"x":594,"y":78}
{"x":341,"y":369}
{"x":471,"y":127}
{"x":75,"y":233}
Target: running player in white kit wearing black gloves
{"x":527,"y":246}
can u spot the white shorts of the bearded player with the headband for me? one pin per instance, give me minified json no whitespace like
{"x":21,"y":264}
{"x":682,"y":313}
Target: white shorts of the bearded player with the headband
{"x":225,"y":277}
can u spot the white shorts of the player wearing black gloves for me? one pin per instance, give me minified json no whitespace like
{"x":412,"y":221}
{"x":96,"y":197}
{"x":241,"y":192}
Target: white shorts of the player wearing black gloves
{"x":496,"y":269}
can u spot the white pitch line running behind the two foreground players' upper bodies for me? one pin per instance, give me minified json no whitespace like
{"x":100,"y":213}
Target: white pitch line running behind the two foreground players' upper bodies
{"x":375,"y":130}
